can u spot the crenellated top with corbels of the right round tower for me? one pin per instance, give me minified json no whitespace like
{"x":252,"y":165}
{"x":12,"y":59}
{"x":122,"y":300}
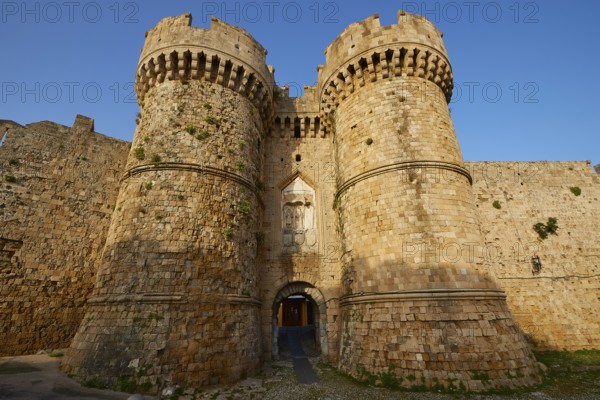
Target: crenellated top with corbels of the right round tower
{"x":366,"y":52}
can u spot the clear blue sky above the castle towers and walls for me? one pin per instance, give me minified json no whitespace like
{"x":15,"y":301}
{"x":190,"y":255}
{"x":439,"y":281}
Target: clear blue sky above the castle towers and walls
{"x":525,"y":70}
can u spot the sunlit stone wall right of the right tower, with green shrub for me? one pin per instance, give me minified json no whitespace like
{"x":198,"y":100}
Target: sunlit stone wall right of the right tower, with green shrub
{"x":555,"y":307}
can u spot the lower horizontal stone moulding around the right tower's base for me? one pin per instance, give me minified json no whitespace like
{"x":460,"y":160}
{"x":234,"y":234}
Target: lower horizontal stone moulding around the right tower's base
{"x":428,"y":294}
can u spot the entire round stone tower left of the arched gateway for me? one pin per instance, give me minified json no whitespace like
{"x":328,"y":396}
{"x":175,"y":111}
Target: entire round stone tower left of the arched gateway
{"x":175,"y":300}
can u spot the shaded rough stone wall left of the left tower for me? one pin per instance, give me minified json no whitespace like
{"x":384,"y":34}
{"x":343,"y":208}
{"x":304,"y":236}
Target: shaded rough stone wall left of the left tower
{"x":53,"y":223}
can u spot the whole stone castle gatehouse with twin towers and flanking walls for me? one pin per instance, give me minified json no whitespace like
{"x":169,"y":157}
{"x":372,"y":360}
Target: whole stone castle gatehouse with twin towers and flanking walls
{"x":182,"y":257}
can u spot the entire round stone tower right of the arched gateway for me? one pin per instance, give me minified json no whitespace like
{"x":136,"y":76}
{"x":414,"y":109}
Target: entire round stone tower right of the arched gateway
{"x":419,"y":308}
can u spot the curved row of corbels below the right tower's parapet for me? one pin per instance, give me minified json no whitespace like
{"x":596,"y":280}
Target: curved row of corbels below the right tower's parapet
{"x":406,"y":59}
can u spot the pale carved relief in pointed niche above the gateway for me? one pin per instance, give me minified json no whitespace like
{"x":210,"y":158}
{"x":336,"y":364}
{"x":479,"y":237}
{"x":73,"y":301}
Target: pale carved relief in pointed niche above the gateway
{"x":298,"y":218}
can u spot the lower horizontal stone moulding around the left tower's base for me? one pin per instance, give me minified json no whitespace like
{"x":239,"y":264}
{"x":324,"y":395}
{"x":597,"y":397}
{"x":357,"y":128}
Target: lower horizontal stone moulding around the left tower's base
{"x":162,"y":298}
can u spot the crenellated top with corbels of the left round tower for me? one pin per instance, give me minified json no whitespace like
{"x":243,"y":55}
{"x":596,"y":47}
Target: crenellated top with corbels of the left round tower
{"x":223,"y":54}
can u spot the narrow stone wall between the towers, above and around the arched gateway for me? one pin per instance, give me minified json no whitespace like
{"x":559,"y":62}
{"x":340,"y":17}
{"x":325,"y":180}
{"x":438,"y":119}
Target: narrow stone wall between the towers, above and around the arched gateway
{"x":300,"y":258}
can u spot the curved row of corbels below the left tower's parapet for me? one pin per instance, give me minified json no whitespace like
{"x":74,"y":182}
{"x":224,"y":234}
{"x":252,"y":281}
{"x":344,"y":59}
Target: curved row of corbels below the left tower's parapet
{"x":181,"y":63}
